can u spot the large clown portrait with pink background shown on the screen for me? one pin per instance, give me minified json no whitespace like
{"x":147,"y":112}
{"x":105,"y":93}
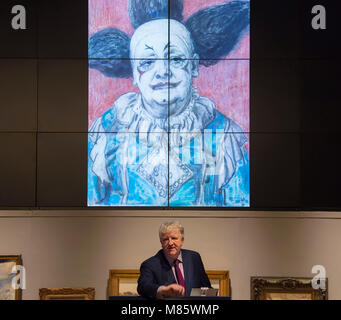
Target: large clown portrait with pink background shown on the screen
{"x":168,"y":103}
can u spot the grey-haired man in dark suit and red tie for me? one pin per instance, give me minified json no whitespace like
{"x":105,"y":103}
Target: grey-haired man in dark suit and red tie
{"x":172,"y":271}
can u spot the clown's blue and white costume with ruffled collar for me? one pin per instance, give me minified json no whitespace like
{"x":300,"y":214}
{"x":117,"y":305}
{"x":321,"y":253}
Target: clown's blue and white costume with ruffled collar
{"x":196,"y":158}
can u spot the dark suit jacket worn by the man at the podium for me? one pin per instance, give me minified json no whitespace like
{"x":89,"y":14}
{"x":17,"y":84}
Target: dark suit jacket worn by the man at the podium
{"x":156,"y":271}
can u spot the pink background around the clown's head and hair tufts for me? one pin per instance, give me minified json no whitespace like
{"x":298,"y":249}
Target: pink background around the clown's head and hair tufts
{"x":226,"y":83}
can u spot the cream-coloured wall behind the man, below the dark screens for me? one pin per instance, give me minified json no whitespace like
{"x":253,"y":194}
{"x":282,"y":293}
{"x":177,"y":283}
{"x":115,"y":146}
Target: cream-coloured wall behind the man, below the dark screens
{"x":77,"y":248}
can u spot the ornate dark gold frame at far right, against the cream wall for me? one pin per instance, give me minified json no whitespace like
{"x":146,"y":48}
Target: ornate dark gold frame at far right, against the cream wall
{"x":284,"y":288}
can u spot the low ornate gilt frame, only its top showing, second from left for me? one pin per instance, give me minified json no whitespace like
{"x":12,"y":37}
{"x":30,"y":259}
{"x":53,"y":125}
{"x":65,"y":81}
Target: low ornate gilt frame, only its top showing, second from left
{"x":67,"y":293}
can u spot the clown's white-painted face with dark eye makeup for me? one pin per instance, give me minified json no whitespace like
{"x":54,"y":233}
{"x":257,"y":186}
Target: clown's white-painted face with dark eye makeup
{"x":164,"y":82}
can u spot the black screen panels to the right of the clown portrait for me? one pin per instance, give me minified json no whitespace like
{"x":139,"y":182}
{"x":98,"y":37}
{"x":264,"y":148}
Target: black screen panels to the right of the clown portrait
{"x":295,"y":106}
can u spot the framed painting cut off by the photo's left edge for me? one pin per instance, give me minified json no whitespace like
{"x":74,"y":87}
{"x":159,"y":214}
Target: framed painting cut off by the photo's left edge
{"x":8,"y":290}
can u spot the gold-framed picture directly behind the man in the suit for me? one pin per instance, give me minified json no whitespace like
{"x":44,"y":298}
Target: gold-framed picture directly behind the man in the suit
{"x":123,"y":282}
